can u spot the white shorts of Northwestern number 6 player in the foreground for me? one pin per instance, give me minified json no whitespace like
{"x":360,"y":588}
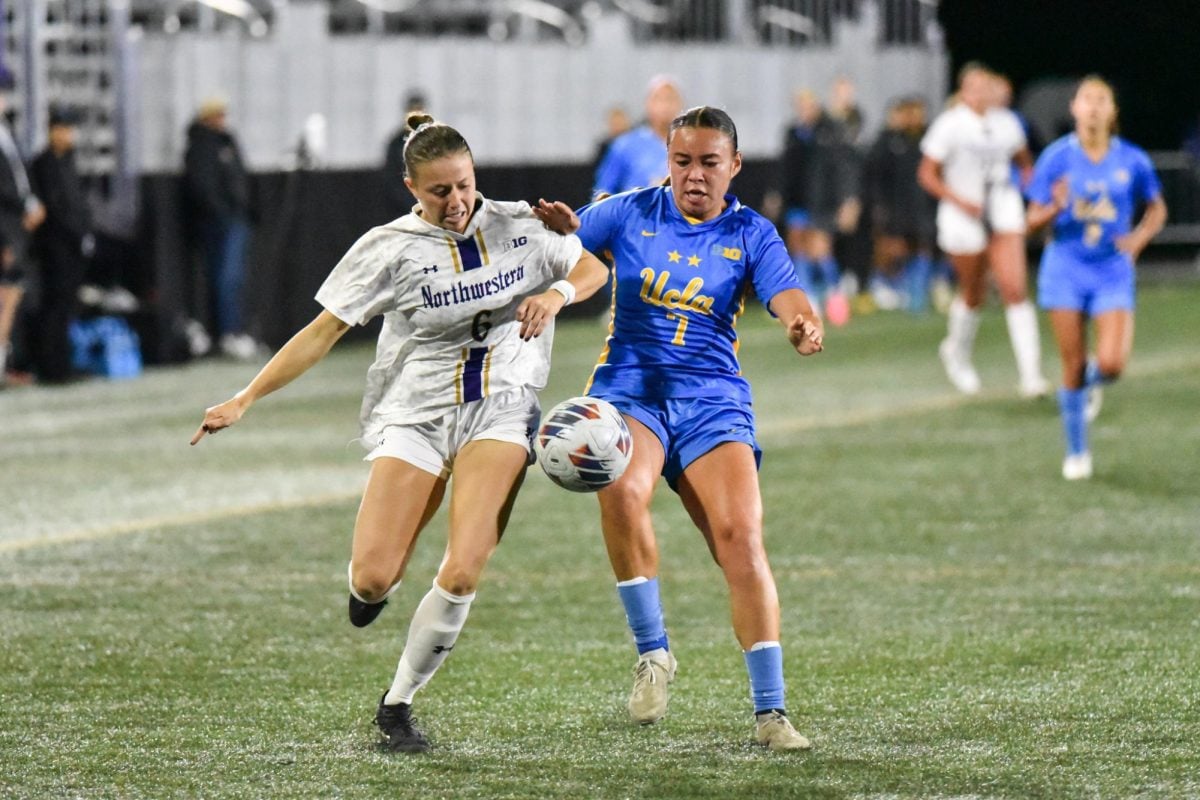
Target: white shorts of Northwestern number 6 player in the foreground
{"x":433,"y":446}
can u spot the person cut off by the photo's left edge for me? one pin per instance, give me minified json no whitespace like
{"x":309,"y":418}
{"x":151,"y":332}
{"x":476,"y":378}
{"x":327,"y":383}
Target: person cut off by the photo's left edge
{"x":21,"y":214}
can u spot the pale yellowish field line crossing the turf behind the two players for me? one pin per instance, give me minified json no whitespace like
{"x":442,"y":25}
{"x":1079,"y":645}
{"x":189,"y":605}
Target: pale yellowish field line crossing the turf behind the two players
{"x":826,"y":422}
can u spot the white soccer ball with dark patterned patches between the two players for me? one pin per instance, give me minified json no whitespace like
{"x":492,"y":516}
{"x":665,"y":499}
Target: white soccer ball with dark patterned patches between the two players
{"x":584,"y":444}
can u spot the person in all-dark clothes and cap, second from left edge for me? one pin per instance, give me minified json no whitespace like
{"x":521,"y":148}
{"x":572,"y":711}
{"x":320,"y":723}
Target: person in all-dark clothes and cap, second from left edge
{"x":63,"y":245}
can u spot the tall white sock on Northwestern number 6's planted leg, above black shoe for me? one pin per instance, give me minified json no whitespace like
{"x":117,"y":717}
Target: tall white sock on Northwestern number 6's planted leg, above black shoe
{"x":431,"y":636}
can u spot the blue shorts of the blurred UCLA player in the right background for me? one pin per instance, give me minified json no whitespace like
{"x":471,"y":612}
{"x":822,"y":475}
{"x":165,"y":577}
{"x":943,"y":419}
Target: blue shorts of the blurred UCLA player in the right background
{"x":1091,"y":287}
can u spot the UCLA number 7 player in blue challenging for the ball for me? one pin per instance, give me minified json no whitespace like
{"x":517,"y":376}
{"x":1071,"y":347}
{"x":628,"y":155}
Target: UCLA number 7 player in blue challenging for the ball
{"x":686,"y":256}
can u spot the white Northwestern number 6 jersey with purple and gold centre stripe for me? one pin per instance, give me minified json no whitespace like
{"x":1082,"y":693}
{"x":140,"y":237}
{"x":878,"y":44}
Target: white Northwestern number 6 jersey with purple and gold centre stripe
{"x":449,"y":303}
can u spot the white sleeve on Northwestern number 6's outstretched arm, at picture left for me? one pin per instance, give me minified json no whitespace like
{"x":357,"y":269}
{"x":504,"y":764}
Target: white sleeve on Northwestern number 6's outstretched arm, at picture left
{"x":363,"y":285}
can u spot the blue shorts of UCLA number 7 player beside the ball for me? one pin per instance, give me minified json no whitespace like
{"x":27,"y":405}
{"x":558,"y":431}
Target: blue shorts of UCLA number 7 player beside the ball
{"x":692,"y":426}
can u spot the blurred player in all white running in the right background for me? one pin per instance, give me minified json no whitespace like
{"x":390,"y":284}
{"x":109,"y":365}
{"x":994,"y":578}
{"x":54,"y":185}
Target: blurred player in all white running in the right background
{"x":969,"y":154}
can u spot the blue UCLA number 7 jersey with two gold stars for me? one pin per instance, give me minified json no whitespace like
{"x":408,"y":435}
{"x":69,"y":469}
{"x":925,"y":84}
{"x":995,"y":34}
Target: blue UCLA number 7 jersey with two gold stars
{"x":679,"y":291}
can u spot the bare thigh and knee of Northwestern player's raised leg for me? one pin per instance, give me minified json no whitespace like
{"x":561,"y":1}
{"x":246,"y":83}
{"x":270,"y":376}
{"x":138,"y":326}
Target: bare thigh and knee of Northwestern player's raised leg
{"x":399,"y":501}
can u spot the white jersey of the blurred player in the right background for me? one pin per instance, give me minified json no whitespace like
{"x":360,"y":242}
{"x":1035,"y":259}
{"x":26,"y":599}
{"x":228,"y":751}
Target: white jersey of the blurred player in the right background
{"x":976,"y":151}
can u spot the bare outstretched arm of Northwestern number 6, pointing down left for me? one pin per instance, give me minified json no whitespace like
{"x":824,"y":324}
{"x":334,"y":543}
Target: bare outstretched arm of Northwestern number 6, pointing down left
{"x":302,"y":352}
